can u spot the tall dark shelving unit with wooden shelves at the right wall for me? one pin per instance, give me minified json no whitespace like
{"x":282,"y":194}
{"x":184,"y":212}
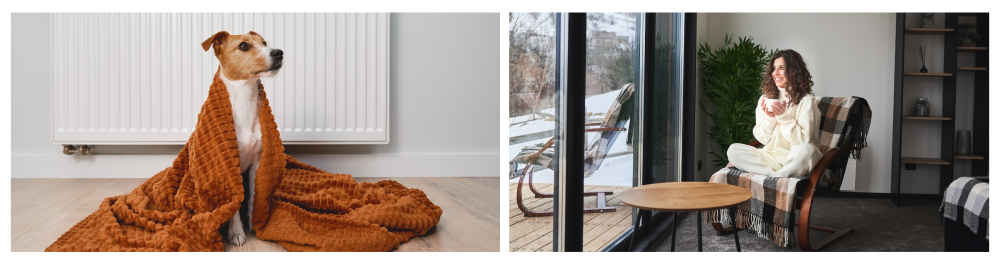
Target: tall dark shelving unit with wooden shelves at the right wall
{"x":949,"y":67}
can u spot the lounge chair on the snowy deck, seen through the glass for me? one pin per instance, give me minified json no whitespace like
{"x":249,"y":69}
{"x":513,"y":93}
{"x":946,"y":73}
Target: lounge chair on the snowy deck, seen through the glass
{"x":541,"y":155}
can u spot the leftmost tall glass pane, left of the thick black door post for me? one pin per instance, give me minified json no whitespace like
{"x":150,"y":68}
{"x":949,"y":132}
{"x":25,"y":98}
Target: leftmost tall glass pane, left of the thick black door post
{"x":532,"y":122}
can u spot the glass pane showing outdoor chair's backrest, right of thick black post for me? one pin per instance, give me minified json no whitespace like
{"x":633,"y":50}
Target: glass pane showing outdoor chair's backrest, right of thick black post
{"x":612,"y":53}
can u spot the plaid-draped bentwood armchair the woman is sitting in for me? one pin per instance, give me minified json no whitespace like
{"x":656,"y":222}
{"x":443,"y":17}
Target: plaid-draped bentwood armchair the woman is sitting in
{"x":844,"y":126}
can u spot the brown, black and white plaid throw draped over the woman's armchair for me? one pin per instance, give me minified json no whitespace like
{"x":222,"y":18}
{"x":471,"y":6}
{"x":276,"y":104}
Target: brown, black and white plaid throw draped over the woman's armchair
{"x":844,"y":122}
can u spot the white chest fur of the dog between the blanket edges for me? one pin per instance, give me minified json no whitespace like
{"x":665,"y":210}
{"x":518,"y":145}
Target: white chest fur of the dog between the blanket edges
{"x":245,"y":98}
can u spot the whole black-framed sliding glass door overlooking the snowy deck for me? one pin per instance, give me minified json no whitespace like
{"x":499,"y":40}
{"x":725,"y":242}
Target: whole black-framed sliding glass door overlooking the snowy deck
{"x":596,"y":109}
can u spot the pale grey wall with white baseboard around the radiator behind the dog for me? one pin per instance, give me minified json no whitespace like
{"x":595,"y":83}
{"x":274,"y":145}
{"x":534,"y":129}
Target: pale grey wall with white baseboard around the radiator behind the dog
{"x":445,"y":119}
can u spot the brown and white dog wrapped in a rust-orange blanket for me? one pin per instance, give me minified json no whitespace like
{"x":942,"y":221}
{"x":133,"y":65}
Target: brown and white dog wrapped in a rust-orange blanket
{"x":243,"y":60}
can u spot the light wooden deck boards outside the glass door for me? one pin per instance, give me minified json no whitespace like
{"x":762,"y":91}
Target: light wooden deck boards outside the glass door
{"x":534,"y":234}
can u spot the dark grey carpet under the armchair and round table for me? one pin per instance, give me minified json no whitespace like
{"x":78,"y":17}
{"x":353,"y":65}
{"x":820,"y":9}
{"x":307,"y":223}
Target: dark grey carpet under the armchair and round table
{"x":878,"y":226}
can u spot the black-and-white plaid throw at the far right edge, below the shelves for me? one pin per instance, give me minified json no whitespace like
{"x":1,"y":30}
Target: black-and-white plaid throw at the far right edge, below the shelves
{"x":967,"y":201}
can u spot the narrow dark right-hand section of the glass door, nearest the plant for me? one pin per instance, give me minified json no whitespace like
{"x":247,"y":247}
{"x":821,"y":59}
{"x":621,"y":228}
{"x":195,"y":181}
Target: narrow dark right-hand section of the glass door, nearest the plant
{"x":668,"y":115}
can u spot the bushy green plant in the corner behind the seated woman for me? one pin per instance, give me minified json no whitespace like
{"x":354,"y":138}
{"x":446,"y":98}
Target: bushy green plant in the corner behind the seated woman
{"x":732,"y":76}
